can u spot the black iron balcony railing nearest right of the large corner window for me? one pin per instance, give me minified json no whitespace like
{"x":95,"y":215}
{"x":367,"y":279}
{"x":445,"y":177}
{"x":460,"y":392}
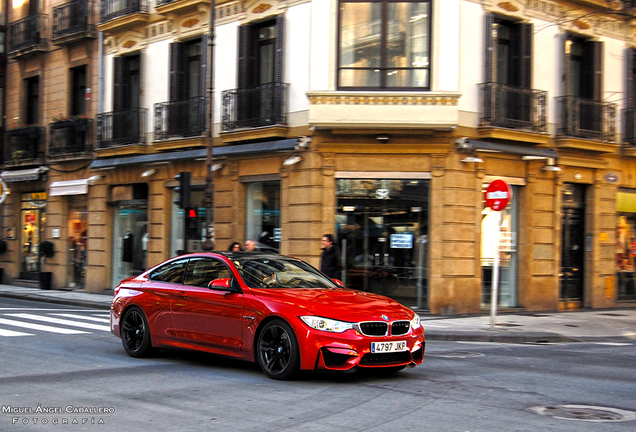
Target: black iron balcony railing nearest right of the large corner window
{"x":513,"y":107}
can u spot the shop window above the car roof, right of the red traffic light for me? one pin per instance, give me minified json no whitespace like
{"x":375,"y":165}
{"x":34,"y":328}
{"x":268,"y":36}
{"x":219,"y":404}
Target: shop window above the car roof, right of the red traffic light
{"x":263,"y":214}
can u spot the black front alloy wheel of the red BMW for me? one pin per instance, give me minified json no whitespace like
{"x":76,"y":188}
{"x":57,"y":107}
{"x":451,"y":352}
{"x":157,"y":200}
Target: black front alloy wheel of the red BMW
{"x":277,"y":350}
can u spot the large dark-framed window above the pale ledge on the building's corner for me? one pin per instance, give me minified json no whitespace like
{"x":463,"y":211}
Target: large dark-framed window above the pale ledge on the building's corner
{"x":384,"y":44}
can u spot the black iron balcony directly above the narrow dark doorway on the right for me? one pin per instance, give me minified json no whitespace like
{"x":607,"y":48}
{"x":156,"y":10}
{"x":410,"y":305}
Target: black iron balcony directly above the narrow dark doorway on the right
{"x":583,"y":121}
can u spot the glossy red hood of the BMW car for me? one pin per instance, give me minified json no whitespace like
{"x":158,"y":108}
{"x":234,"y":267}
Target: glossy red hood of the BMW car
{"x":342,"y":304}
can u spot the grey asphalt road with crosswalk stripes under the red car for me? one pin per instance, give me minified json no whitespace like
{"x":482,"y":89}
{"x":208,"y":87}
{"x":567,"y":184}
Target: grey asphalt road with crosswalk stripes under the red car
{"x":459,"y":387}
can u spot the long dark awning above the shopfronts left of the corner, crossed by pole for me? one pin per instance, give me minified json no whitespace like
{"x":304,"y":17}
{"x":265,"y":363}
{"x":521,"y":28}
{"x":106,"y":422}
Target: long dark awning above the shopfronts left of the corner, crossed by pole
{"x":225,"y":151}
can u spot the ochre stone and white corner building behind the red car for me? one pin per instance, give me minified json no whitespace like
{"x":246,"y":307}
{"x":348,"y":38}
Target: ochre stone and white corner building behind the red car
{"x":379,"y":121}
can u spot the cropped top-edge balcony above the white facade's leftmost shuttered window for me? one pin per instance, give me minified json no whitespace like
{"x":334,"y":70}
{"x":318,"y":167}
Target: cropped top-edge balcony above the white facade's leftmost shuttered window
{"x":118,"y":15}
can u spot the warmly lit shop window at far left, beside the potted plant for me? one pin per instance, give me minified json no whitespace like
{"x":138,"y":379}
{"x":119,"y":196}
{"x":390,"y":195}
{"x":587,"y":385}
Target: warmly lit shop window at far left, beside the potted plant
{"x":33,"y":223}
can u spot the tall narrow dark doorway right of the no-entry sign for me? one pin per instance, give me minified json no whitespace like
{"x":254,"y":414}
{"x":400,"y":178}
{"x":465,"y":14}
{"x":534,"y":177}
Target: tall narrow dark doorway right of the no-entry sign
{"x":573,"y":244}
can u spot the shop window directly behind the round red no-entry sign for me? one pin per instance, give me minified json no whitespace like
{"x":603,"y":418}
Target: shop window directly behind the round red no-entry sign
{"x":508,"y":261}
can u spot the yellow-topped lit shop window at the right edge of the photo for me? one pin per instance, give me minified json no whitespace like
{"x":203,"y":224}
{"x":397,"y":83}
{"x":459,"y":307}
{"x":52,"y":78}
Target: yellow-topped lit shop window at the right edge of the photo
{"x":626,"y":245}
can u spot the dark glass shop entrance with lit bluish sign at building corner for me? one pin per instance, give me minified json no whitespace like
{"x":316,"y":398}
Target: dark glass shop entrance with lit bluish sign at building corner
{"x":383,"y":236}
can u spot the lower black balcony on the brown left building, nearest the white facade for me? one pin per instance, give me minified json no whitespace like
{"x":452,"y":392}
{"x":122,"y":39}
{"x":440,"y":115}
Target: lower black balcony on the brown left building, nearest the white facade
{"x":71,"y":139}
